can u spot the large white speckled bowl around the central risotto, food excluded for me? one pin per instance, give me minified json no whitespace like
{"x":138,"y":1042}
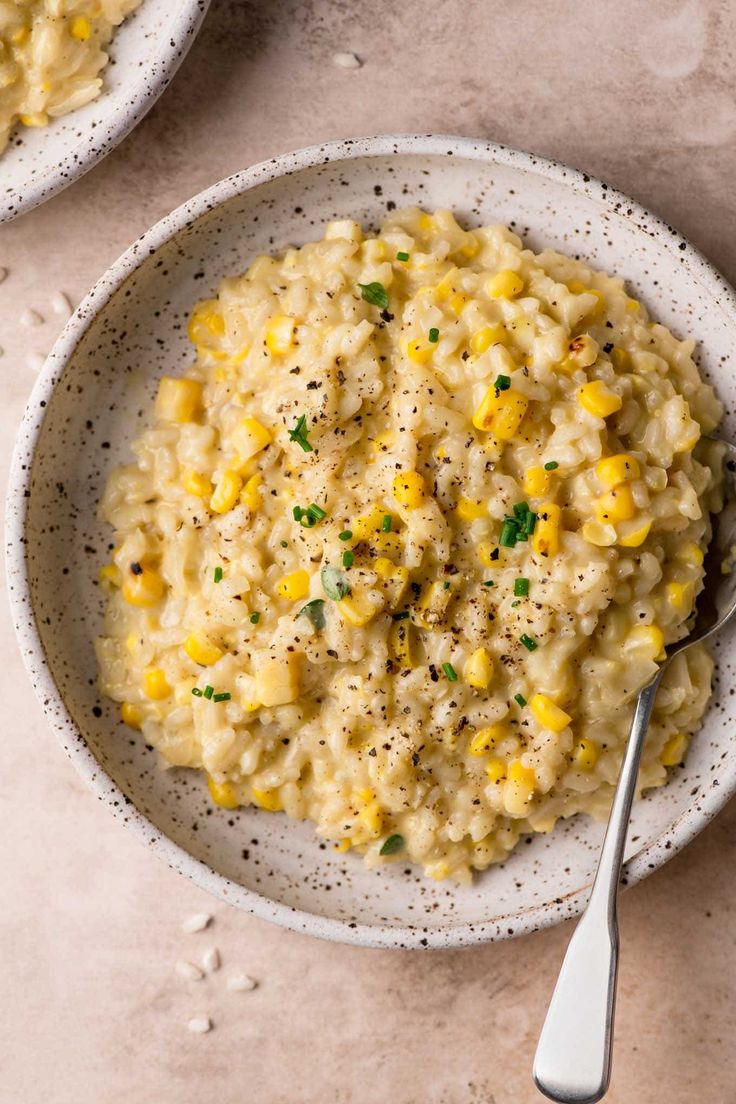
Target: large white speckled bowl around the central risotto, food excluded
{"x":88,"y":406}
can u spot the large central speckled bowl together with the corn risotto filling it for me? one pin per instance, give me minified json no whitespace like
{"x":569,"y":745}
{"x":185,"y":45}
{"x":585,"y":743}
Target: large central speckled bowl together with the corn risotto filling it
{"x":342,"y":601}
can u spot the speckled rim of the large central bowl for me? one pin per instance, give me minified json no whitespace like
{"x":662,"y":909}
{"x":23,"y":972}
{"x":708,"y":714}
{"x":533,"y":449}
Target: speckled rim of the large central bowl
{"x":688,"y":824}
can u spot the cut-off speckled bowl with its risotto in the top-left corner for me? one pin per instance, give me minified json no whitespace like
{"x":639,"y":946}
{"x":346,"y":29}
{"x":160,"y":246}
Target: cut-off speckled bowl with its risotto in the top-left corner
{"x":77,"y":78}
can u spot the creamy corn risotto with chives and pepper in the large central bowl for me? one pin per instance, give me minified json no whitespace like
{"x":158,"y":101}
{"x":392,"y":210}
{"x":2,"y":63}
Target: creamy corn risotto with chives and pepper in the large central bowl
{"x":401,"y":548}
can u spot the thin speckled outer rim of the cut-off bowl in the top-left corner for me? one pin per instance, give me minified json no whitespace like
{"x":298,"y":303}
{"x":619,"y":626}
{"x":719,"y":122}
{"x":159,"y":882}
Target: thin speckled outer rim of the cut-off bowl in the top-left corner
{"x":186,"y":22}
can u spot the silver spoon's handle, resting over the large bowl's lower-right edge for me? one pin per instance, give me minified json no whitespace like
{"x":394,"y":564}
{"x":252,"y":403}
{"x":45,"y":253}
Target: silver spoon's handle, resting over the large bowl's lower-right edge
{"x":574,"y":1054}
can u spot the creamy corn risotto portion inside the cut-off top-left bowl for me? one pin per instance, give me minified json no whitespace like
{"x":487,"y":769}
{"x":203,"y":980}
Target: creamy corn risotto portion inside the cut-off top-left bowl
{"x":51,"y":56}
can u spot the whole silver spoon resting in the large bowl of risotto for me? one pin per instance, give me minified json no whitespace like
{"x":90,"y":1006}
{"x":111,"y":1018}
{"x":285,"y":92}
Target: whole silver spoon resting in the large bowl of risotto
{"x":574,"y":1055}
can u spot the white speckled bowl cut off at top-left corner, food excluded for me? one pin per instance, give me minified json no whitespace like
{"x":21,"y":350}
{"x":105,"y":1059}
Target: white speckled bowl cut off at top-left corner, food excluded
{"x":145,"y":54}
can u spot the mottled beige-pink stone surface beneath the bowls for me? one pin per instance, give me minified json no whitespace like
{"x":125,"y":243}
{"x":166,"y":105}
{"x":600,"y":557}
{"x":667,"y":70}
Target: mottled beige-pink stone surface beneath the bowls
{"x":92,"y":1011}
